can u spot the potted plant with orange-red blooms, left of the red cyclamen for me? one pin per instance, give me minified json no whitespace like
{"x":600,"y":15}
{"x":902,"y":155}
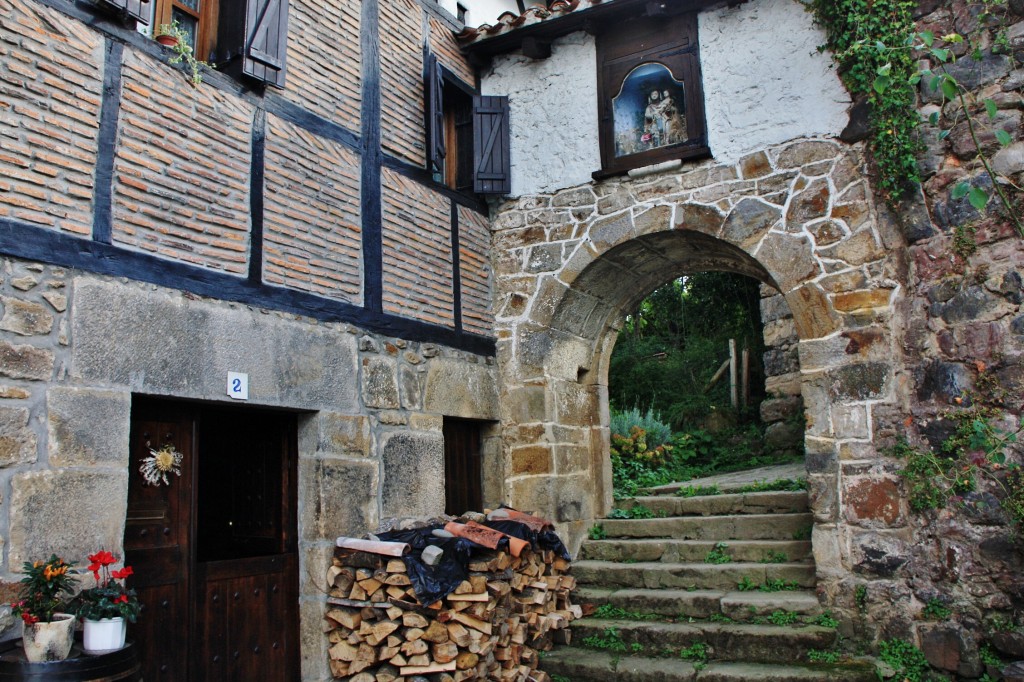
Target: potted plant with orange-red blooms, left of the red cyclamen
{"x":49,"y":633}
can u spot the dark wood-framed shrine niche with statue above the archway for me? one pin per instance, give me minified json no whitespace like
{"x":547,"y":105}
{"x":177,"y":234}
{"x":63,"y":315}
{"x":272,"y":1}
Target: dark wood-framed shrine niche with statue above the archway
{"x":651,"y":100}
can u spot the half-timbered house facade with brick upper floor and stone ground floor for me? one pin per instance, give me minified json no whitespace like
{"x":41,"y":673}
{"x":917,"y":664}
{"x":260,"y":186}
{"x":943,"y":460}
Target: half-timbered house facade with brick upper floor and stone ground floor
{"x":269,"y":273}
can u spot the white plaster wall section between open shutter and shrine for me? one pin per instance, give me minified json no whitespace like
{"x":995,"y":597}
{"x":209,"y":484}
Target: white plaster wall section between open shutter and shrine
{"x":553,"y":114}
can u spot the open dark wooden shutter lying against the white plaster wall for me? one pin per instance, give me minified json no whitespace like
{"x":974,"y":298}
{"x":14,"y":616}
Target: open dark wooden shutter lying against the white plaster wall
{"x":492,"y":169}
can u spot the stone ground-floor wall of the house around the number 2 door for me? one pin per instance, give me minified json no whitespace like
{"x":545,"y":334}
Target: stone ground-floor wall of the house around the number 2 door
{"x":75,"y":349}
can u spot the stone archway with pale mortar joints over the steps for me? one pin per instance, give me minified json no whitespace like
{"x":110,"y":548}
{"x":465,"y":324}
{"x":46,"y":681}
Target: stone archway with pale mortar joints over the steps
{"x":571,"y":266}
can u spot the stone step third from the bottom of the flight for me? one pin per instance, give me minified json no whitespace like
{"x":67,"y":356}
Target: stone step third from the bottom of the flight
{"x":741,"y":607}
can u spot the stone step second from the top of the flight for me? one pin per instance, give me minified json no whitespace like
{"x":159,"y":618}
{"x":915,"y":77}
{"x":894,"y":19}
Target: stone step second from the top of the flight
{"x":737,"y":527}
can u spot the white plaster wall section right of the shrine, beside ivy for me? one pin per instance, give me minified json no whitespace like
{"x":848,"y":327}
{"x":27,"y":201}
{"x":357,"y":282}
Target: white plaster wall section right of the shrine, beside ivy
{"x":764,"y":80}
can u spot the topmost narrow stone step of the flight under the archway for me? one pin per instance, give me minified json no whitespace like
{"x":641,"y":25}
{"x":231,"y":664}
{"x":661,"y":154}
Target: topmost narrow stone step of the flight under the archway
{"x":743,"y":503}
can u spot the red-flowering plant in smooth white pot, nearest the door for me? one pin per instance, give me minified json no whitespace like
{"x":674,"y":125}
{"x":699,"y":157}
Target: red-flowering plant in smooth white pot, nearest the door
{"x":107,"y":608}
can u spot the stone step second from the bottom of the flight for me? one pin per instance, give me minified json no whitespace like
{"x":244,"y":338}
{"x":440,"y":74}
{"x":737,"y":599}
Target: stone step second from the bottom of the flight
{"x":723,"y":642}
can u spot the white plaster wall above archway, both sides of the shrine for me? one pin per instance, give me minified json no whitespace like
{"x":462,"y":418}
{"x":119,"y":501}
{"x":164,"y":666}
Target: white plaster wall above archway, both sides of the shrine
{"x":764,"y":81}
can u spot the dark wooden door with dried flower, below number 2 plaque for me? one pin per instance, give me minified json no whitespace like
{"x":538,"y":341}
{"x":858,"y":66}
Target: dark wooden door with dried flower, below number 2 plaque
{"x":222,"y":577}
